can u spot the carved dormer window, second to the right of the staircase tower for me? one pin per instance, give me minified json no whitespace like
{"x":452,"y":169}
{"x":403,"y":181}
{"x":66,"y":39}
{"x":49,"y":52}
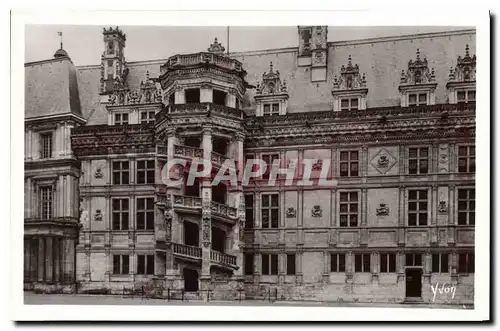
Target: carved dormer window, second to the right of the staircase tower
{"x":349,"y":89}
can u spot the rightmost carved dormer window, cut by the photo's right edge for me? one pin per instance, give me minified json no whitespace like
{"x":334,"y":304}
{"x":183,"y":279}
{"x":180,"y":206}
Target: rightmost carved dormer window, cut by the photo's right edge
{"x":462,"y":79}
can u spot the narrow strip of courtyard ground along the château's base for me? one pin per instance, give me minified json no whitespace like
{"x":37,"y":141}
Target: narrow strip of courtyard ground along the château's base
{"x":31,"y":298}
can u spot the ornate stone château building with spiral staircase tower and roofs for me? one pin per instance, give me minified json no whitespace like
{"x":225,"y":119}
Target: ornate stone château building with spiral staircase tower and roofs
{"x":391,"y":119}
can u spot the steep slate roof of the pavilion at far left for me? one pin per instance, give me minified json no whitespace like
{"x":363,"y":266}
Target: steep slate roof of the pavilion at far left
{"x":51,"y":88}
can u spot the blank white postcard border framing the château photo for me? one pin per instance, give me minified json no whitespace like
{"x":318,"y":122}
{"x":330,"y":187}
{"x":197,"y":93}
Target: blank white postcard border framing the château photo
{"x":428,"y":15}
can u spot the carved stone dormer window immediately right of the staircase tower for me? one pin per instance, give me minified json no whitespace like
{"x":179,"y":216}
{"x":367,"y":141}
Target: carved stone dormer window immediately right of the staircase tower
{"x":272,"y":94}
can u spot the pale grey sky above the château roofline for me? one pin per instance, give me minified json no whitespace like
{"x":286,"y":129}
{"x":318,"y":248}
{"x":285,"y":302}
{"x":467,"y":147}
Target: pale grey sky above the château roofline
{"x":85,"y":45}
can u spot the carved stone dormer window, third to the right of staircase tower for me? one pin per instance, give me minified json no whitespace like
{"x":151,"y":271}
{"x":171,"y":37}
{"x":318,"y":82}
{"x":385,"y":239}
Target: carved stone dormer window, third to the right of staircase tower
{"x":417,"y":84}
